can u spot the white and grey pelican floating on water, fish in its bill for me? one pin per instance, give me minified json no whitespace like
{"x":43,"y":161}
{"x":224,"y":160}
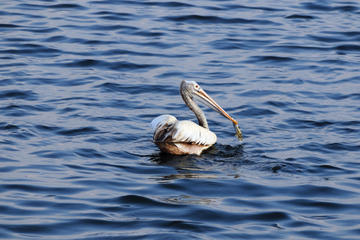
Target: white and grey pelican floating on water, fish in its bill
{"x":186,"y":137}
